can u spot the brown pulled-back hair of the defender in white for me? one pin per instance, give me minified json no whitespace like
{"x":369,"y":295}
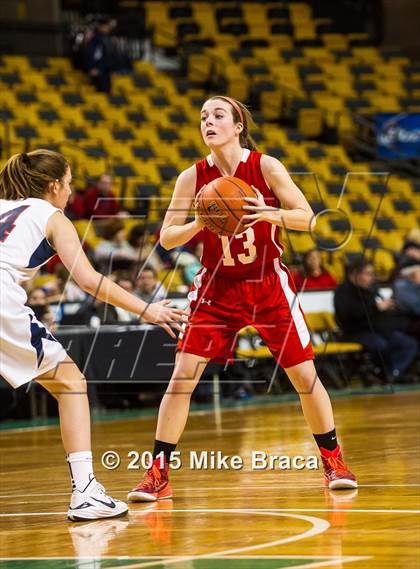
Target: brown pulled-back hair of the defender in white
{"x":29,"y":175}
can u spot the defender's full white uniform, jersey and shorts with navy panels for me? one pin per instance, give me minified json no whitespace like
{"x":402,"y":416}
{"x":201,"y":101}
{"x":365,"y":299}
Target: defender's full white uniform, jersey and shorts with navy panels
{"x":27,"y":348}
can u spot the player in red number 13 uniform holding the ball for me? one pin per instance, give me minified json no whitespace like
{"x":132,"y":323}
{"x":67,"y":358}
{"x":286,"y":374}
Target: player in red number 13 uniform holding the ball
{"x":243,"y":282}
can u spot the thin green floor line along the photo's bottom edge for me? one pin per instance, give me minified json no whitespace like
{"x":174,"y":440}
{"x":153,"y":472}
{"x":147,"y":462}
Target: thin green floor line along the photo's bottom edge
{"x":220,"y":563}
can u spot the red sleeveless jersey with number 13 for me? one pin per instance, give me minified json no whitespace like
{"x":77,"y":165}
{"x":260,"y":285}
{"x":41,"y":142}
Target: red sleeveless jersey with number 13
{"x":246,"y":254}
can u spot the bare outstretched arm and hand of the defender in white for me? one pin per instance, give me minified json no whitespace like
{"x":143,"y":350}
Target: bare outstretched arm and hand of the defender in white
{"x":63,"y":237}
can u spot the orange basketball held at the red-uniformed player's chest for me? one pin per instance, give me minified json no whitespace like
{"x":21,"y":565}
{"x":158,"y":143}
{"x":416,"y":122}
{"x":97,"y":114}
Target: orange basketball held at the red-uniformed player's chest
{"x":220,"y":203}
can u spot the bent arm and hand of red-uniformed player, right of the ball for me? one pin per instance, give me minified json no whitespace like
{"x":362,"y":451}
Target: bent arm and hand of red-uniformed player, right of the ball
{"x":296,"y":212}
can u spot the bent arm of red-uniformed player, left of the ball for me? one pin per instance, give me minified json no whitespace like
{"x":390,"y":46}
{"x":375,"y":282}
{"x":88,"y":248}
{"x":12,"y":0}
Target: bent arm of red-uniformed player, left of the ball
{"x":175,"y":231}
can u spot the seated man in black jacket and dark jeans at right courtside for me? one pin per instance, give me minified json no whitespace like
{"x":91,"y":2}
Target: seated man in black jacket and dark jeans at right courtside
{"x":371,"y":320}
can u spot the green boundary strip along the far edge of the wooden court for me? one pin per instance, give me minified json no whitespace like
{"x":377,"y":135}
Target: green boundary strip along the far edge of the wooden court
{"x":256,"y":401}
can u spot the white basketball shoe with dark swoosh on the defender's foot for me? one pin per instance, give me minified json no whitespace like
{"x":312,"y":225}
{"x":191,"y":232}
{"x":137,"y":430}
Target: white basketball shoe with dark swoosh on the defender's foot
{"x":93,"y":504}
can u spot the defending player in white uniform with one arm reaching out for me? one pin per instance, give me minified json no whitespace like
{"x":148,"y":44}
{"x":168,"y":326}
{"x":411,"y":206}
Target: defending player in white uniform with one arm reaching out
{"x":34,"y":190}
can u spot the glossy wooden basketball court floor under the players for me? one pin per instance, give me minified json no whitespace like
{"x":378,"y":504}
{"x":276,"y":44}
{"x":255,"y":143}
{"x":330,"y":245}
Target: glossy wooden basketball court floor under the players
{"x":235,"y":519}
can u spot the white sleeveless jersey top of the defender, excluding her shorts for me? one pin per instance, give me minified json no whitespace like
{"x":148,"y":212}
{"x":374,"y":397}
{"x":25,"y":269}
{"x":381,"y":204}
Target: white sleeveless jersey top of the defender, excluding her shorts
{"x":23,"y":244}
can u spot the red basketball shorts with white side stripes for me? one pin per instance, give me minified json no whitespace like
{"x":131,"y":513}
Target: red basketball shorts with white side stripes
{"x":220,"y":307}
